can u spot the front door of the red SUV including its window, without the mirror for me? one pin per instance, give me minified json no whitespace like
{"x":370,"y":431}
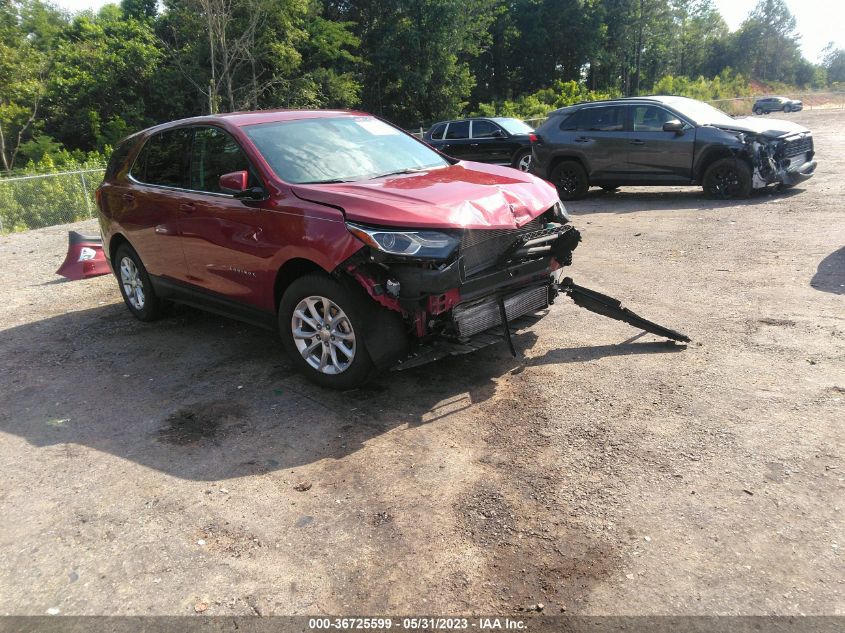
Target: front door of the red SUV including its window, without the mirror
{"x":228,"y":242}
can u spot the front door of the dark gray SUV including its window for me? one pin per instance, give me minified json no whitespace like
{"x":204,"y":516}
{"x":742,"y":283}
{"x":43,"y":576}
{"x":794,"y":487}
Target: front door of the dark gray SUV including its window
{"x":655,"y":155}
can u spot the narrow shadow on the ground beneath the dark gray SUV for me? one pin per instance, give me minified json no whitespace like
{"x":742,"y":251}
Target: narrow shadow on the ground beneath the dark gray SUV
{"x":667,"y":199}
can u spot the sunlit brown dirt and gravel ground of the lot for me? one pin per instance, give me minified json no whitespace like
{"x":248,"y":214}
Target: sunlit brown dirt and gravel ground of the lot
{"x":183,"y":466}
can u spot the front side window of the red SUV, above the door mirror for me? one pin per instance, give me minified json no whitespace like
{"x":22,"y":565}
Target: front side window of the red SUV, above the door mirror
{"x":216,"y":153}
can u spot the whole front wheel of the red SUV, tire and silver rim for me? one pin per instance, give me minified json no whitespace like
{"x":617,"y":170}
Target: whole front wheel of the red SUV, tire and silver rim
{"x":322,"y":323}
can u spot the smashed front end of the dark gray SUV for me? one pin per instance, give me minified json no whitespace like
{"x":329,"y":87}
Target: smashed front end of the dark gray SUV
{"x":783,"y":160}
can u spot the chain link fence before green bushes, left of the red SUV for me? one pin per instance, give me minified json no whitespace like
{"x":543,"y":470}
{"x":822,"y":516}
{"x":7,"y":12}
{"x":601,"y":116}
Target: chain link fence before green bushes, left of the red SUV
{"x":36,"y":201}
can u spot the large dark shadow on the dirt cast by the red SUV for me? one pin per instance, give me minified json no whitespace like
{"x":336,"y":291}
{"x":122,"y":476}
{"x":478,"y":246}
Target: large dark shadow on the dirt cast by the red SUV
{"x":204,"y":398}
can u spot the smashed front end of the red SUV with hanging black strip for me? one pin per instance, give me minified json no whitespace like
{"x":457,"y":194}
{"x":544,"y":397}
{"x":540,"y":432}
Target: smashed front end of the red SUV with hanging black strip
{"x":459,"y":290}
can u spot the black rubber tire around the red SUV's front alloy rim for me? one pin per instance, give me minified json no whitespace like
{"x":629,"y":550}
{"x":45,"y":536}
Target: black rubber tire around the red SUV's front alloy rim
{"x":356,"y":306}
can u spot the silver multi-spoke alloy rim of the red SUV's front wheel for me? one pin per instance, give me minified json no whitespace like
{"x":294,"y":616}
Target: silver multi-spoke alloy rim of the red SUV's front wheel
{"x":323,"y":334}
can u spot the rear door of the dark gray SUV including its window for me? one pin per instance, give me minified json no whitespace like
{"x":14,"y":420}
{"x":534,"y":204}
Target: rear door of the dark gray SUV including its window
{"x":598,"y":134}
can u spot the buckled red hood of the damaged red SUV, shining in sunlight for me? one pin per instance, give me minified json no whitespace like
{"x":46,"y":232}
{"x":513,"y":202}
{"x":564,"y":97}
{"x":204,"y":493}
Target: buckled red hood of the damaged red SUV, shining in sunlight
{"x":465,"y":195}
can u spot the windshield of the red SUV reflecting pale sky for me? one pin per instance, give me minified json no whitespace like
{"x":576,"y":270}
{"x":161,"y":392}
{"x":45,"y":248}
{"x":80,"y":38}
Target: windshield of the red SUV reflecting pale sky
{"x":339,"y":149}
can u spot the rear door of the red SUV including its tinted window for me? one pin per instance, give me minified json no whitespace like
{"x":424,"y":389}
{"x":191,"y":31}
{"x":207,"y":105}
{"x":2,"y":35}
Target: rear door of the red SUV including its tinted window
{"x":151,"y":207}
